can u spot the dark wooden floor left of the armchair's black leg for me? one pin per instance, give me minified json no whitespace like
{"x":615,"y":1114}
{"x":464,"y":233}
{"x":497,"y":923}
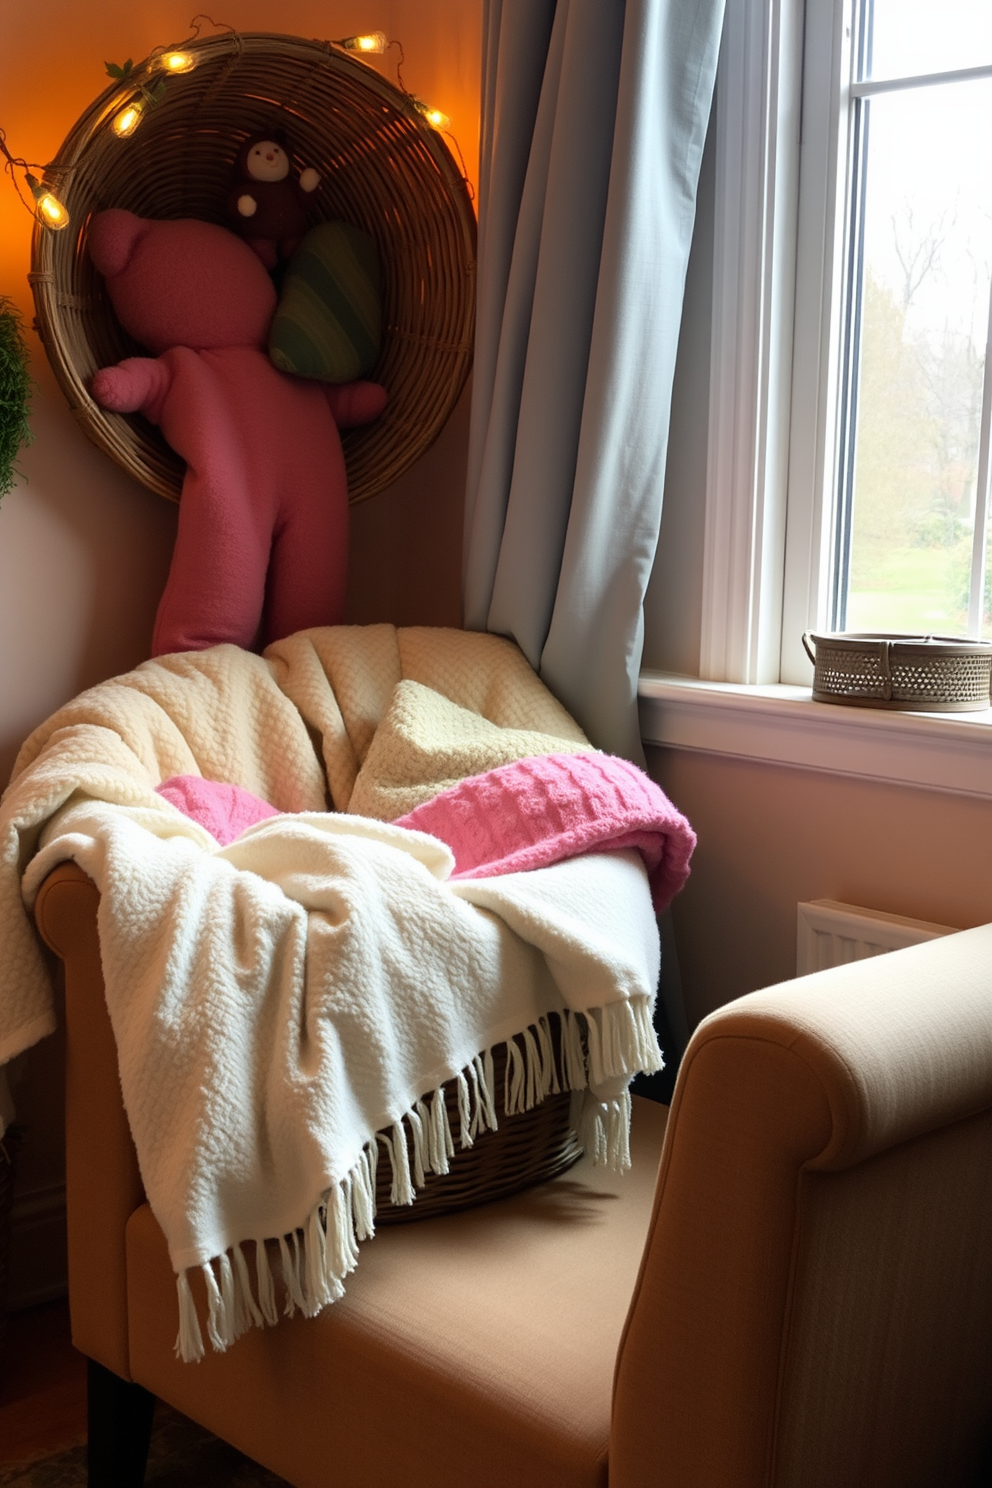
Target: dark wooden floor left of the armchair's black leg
{"x":42,"y":1386}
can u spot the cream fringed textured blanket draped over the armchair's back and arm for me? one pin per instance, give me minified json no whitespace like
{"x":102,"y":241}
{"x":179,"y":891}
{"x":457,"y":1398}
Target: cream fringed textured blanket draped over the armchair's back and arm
{"x":282,"y":1001}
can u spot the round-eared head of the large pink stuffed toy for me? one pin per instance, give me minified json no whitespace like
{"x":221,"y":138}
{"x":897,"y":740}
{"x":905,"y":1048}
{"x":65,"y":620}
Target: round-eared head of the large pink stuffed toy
{"x":182,"y":283}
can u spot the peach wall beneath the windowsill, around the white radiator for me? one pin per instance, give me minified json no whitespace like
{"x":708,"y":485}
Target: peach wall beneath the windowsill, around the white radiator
{"x":771,"y":837}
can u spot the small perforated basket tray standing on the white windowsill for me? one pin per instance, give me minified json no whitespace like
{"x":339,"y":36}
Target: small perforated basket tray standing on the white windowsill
{"x":915,"y":673}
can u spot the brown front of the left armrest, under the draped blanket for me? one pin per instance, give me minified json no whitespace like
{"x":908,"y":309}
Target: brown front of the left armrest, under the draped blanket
{"x":103,"y":1184}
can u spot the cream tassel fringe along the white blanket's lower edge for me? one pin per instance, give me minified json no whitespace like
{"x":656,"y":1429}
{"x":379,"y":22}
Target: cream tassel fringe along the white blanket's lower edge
{"x":597,"y":1047}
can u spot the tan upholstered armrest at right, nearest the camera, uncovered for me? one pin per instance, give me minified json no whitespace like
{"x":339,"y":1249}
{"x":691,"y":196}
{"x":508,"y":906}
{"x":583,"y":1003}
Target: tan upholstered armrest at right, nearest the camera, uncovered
{"x":814,"y":1255}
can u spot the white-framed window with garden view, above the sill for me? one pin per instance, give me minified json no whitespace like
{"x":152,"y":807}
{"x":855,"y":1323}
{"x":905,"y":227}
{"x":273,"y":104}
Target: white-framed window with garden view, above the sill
{"x":850,"y":408}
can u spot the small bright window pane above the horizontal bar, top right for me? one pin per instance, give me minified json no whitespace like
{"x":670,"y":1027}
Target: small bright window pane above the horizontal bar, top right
{"x":911,"y":38}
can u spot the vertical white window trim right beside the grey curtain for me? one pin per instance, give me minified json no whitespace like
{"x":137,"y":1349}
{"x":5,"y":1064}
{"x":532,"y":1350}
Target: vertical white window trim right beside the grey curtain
{"x":758,"y":121}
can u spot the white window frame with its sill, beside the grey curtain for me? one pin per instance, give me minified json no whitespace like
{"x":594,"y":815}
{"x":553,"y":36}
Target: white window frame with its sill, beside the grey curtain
{"x":773,"y":411}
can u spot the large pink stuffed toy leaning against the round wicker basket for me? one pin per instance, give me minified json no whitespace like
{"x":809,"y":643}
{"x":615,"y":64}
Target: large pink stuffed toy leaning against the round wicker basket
{"x":263,"y":542}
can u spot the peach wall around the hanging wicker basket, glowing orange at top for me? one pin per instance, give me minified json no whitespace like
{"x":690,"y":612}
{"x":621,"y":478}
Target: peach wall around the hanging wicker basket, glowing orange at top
{"x":84,"y":550}
